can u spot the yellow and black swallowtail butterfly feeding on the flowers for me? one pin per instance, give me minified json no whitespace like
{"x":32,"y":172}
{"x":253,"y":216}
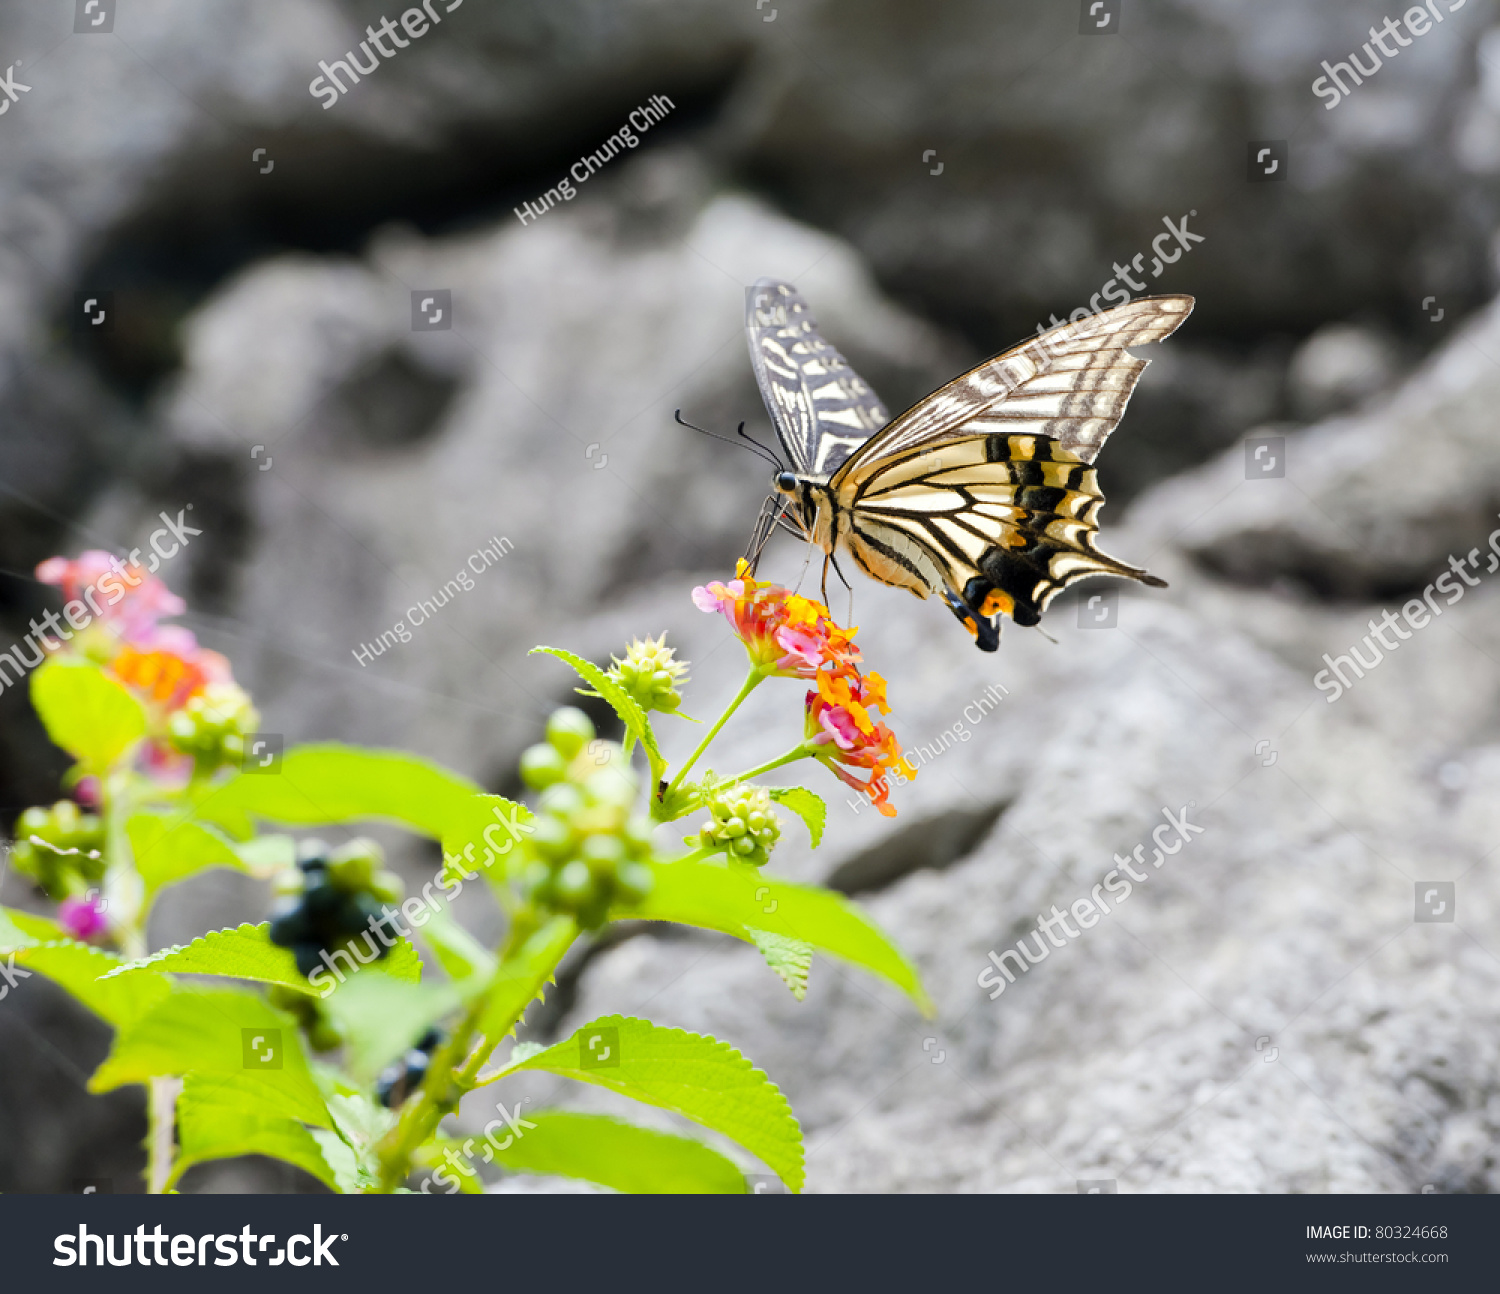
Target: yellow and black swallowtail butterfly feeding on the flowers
{"x":983,"y":493}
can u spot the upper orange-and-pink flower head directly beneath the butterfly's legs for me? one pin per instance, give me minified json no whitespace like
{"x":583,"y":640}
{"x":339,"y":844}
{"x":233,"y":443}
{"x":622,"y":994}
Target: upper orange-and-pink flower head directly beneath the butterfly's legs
{"x":785,"y":635}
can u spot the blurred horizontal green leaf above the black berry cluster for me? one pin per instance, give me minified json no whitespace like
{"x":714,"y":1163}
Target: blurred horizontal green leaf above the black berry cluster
{"x":340,"y":783}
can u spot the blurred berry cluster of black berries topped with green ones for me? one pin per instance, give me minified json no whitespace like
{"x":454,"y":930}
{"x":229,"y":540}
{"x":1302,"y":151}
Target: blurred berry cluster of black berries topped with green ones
{"x":331,"y":900}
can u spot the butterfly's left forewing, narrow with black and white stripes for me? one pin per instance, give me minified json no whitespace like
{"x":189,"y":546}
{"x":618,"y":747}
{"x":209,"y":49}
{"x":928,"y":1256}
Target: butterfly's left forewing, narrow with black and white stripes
{"x":821,"y":409}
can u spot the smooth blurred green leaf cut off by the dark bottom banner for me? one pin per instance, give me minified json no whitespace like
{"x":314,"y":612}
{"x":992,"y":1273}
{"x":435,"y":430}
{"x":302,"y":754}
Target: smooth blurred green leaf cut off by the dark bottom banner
{"x":610,"y":1152}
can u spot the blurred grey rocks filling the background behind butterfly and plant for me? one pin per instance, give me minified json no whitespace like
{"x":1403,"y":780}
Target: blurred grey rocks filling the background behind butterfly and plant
{"x":1271,"y":1013}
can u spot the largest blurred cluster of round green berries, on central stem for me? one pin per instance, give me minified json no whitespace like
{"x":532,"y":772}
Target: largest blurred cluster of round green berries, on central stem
{"x":587,"y":851}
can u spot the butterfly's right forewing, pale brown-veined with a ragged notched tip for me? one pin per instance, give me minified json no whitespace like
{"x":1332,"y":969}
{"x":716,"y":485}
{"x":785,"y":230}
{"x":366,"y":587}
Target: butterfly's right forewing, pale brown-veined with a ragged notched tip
{"x":1070,"y":385}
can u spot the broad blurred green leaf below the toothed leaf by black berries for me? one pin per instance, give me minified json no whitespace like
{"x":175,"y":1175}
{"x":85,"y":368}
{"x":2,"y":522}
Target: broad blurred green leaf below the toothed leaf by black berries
{"x":218,"y":1032}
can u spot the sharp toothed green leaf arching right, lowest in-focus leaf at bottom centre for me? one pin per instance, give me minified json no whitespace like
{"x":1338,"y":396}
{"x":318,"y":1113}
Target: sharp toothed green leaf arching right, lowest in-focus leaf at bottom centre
{"x":689,"y":1074}
